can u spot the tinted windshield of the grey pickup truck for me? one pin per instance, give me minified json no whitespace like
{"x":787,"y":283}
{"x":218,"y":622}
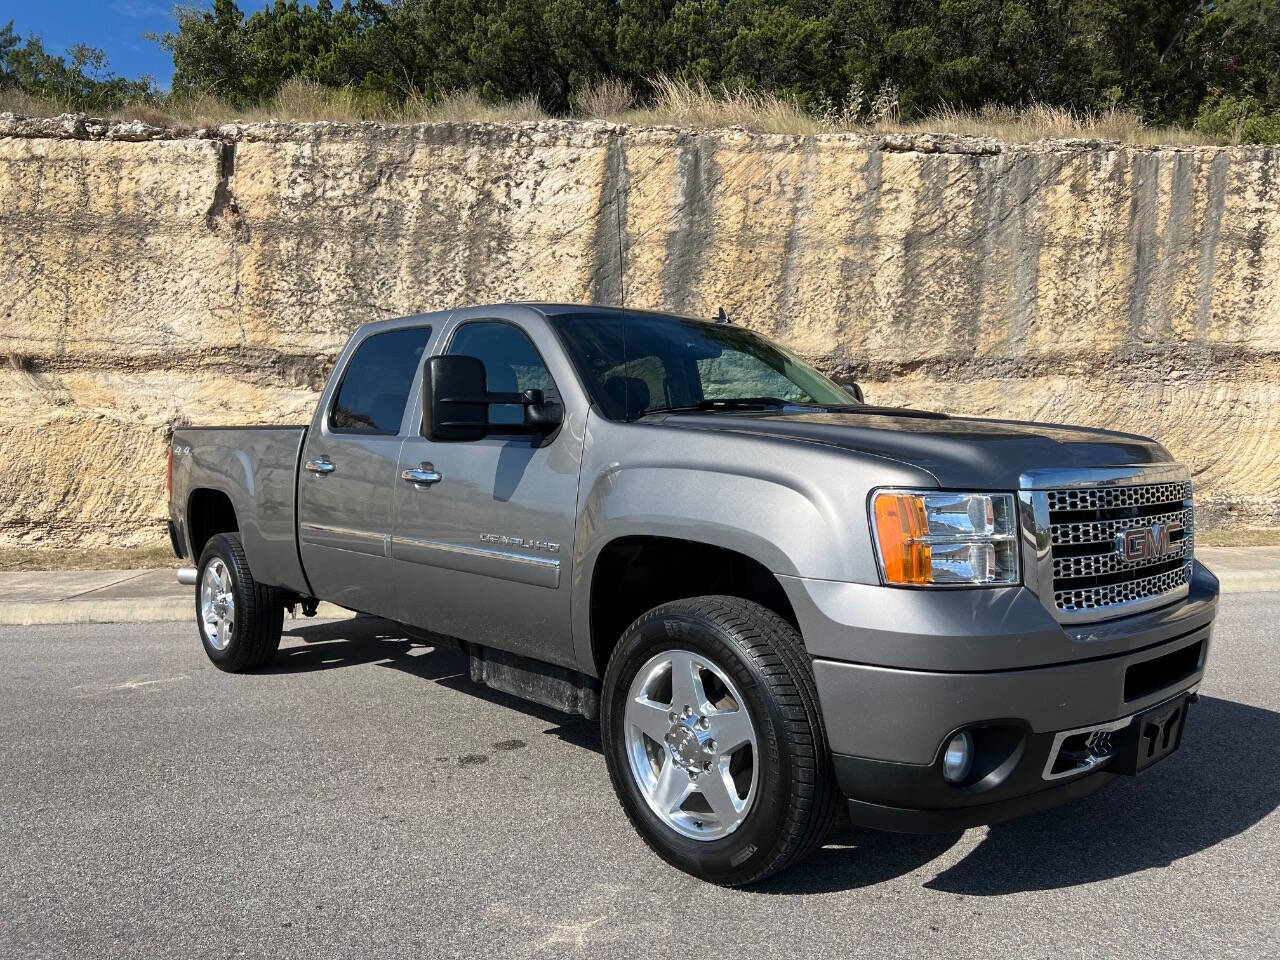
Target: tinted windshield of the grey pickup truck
{"x":648,"y":363}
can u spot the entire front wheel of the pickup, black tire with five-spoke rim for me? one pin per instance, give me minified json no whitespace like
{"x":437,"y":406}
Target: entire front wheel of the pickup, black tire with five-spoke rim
{"x":715,"y":742}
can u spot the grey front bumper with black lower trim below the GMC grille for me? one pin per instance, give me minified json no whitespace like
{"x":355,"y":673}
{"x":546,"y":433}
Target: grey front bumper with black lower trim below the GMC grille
{"x":888,"y":726}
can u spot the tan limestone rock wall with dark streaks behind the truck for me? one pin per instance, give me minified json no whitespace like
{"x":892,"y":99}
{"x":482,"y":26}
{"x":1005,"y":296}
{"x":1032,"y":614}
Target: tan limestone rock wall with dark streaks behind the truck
{"x":149,"y":277}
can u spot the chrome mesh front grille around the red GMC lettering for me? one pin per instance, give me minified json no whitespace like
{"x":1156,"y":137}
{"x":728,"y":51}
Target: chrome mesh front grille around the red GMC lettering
{"x":1092,"y":577}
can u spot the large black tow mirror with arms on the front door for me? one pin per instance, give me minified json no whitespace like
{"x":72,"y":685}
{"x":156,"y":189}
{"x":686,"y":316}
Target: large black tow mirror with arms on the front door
{"x":456,"y":403}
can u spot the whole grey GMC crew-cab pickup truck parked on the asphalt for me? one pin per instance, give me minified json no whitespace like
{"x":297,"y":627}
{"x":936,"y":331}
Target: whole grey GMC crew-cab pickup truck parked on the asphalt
{"x":779,"y":600}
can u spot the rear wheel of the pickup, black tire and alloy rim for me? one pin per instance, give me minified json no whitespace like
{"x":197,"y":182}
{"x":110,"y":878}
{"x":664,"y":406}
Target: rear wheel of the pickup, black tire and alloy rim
{"x":240,"y":620}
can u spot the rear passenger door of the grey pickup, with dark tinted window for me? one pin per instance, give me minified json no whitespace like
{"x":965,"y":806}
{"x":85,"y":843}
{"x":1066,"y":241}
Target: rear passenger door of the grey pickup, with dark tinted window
{"x":349,"y":470}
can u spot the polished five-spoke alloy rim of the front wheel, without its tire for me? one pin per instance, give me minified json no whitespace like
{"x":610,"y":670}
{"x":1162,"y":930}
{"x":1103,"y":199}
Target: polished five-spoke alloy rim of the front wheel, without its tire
{"x":692,"y":746}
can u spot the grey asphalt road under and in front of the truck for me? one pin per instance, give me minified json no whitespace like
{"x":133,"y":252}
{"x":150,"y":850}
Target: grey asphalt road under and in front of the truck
{"x":363,"y":801}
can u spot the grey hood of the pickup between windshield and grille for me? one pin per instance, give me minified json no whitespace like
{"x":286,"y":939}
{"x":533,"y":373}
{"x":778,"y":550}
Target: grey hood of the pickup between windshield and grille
{"x":961,"y":452}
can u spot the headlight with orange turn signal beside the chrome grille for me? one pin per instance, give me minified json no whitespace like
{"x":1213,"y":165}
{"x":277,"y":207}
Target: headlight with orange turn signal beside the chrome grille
{"x":938,"y":540}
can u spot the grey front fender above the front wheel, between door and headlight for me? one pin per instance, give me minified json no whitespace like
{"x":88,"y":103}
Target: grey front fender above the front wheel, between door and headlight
{"x":798,"y":509}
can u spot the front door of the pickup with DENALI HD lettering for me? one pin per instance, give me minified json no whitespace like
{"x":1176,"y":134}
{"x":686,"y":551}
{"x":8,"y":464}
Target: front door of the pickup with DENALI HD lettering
{"x":484,"y":529}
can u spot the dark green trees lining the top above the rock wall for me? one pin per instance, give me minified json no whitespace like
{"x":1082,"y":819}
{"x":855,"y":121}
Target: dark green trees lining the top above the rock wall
{"x":1213,"y":62}
